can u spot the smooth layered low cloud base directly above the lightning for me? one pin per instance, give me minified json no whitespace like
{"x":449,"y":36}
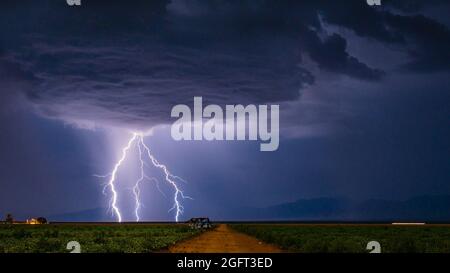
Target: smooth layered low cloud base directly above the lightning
{"x":140,"y":85}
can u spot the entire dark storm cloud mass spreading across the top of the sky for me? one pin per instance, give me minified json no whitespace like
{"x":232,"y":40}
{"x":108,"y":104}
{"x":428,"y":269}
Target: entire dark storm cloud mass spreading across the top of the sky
{"x":126,"y":64}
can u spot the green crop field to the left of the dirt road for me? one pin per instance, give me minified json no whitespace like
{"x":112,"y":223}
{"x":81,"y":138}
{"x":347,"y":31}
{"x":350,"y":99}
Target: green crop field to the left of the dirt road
{"x":92,"y":237}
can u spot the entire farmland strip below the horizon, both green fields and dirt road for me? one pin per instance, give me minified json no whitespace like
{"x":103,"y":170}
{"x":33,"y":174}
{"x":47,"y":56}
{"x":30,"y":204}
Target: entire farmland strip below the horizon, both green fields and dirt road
{"x":227,"y":238}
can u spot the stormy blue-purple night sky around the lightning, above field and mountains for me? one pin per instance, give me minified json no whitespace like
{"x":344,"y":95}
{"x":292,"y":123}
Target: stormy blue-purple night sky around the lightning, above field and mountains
{"x":364,"y":95}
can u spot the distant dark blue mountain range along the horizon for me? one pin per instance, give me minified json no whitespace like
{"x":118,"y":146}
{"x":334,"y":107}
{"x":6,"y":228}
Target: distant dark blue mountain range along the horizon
{"x":421,"y":209}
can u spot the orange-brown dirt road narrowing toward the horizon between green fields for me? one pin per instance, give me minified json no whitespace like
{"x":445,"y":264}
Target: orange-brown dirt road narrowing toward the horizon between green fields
{"x":223,"y":239}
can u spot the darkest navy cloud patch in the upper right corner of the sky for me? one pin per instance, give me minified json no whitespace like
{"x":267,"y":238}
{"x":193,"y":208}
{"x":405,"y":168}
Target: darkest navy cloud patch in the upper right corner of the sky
{"x":425,"y":39}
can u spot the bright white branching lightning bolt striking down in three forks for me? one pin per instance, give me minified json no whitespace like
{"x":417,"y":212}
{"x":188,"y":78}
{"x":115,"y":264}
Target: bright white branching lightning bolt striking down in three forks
{"x":144,"y":153}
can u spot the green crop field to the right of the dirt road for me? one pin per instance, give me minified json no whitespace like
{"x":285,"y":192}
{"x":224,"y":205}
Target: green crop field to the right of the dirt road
{"x":351,"y":238}
